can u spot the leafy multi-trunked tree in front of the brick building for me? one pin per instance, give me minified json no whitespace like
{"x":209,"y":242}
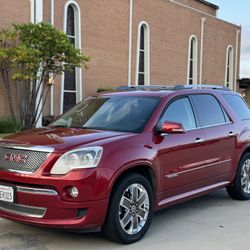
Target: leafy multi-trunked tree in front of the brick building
{"x":31,"y":57}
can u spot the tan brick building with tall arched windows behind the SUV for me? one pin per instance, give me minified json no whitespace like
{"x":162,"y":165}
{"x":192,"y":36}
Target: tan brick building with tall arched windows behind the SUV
{"x":134,"y":42}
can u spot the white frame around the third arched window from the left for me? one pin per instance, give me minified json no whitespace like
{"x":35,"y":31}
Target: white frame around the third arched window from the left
{"x":195,"y":60}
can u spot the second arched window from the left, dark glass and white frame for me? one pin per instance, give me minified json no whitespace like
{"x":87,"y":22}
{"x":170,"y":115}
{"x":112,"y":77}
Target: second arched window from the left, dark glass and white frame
{"x":143,"y":55}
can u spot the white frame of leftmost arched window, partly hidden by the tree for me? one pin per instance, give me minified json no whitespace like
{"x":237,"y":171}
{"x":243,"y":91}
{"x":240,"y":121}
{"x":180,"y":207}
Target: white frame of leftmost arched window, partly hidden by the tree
{"x":78,"y":44}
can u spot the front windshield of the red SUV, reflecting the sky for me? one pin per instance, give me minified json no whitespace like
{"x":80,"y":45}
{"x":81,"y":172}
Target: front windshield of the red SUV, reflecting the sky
{"x":119,"y":113}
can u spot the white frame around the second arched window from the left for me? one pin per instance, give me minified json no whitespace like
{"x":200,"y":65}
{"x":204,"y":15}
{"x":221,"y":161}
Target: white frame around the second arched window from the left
{"x":146,"y":53}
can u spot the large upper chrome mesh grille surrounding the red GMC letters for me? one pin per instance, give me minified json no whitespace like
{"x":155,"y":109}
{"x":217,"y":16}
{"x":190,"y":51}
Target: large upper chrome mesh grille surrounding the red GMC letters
{"x":32,"y":163}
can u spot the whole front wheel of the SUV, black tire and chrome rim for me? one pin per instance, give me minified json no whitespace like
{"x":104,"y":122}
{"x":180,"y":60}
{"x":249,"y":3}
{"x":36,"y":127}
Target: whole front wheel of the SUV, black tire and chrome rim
{"x":130,"y":210}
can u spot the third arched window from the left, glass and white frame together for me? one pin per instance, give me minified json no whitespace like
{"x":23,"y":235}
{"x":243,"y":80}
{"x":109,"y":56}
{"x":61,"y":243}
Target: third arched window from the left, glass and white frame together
{"x":192,"y":61}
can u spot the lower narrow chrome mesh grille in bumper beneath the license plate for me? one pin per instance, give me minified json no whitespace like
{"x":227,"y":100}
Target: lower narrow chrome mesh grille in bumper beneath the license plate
{"x":23,"y":210}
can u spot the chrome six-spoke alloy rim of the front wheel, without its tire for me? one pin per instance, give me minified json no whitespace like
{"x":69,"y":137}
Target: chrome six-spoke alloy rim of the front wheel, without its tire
{"x":134,"y":209}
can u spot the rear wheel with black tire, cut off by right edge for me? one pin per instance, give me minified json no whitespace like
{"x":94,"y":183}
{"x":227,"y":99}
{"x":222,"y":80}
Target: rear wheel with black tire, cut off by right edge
{"x":240,"y":188}
